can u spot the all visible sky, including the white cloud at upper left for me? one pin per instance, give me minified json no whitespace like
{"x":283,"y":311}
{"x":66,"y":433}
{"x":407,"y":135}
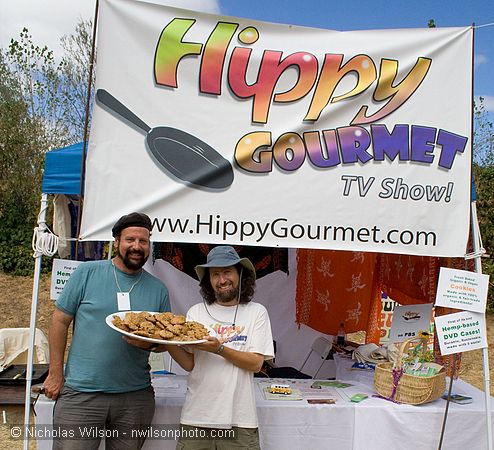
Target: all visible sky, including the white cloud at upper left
{"x":48,"y":20}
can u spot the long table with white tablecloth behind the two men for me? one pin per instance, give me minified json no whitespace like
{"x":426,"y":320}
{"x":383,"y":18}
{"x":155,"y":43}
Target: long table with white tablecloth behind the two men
{"x":374,"y":423}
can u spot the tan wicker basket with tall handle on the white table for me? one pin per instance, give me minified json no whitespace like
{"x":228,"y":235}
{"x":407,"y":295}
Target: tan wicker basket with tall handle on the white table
{"x":392,"y":384}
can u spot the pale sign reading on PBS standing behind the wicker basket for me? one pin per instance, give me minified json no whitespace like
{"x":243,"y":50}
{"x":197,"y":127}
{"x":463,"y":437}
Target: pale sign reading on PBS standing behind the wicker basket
{"x":409,"y":320}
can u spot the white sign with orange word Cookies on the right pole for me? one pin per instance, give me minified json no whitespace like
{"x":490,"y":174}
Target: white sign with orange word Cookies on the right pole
{"x":461,"y":289}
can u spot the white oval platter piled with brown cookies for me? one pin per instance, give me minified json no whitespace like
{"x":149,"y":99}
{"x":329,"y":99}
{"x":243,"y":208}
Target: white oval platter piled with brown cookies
{"x":158,"y":327}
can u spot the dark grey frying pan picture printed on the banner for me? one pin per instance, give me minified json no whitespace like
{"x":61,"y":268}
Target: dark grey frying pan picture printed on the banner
{"x":179,"y":153}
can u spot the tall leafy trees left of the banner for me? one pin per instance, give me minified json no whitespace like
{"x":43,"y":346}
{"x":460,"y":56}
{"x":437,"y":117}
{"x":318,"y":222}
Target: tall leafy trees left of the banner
{"x":42,"y":106}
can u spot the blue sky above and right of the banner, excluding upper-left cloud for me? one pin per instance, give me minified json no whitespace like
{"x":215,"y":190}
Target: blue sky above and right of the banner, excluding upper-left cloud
{"x":380,"y":14}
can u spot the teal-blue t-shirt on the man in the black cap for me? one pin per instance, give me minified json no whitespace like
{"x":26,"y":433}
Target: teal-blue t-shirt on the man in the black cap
{"x":99,"y":359}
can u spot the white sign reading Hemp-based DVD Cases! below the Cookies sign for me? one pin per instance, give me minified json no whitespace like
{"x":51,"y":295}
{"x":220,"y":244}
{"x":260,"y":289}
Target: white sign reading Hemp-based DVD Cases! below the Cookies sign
{"x":461,"y":332}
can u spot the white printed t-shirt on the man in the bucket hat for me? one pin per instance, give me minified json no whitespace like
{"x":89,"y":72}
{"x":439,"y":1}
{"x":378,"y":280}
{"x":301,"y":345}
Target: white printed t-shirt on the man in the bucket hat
{"x":220,"y":394}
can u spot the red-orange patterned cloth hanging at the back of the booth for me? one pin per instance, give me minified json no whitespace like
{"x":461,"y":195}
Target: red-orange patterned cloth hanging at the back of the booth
{"x":339,"y":286}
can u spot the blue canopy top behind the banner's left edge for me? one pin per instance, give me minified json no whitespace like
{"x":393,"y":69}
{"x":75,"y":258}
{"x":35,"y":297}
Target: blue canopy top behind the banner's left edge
{"x":63,"y":170}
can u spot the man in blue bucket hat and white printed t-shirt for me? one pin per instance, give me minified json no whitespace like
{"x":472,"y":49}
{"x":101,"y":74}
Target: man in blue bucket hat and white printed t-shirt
{"x":220,"y":389}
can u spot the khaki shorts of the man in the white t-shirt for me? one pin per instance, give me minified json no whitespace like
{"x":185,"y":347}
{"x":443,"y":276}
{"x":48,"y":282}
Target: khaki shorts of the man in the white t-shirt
{"x":218,"y":438}
